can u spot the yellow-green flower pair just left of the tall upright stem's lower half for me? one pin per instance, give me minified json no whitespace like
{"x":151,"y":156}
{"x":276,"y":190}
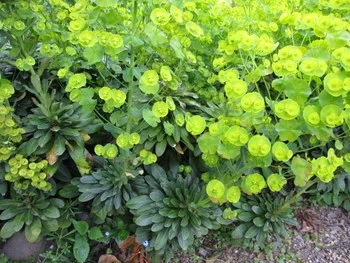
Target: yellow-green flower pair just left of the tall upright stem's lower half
{"x":113,"y":98}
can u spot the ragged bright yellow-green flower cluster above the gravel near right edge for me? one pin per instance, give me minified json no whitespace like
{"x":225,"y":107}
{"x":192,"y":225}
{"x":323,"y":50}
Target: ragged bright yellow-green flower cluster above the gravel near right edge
{"x":324,"y":167}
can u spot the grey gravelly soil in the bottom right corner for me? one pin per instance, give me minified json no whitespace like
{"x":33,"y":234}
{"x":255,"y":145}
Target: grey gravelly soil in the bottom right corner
{"x":323,"y":236}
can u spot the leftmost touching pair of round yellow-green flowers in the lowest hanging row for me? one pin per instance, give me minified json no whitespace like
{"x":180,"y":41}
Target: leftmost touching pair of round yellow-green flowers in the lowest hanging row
{"x":218,"y":193}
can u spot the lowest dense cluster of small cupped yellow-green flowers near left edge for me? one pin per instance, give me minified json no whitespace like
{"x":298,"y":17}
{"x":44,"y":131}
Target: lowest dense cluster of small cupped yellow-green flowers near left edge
{"x":25,"y":172}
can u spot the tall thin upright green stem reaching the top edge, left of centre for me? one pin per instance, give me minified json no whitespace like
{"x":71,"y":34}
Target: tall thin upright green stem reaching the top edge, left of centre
{"x":132,"y":65}
